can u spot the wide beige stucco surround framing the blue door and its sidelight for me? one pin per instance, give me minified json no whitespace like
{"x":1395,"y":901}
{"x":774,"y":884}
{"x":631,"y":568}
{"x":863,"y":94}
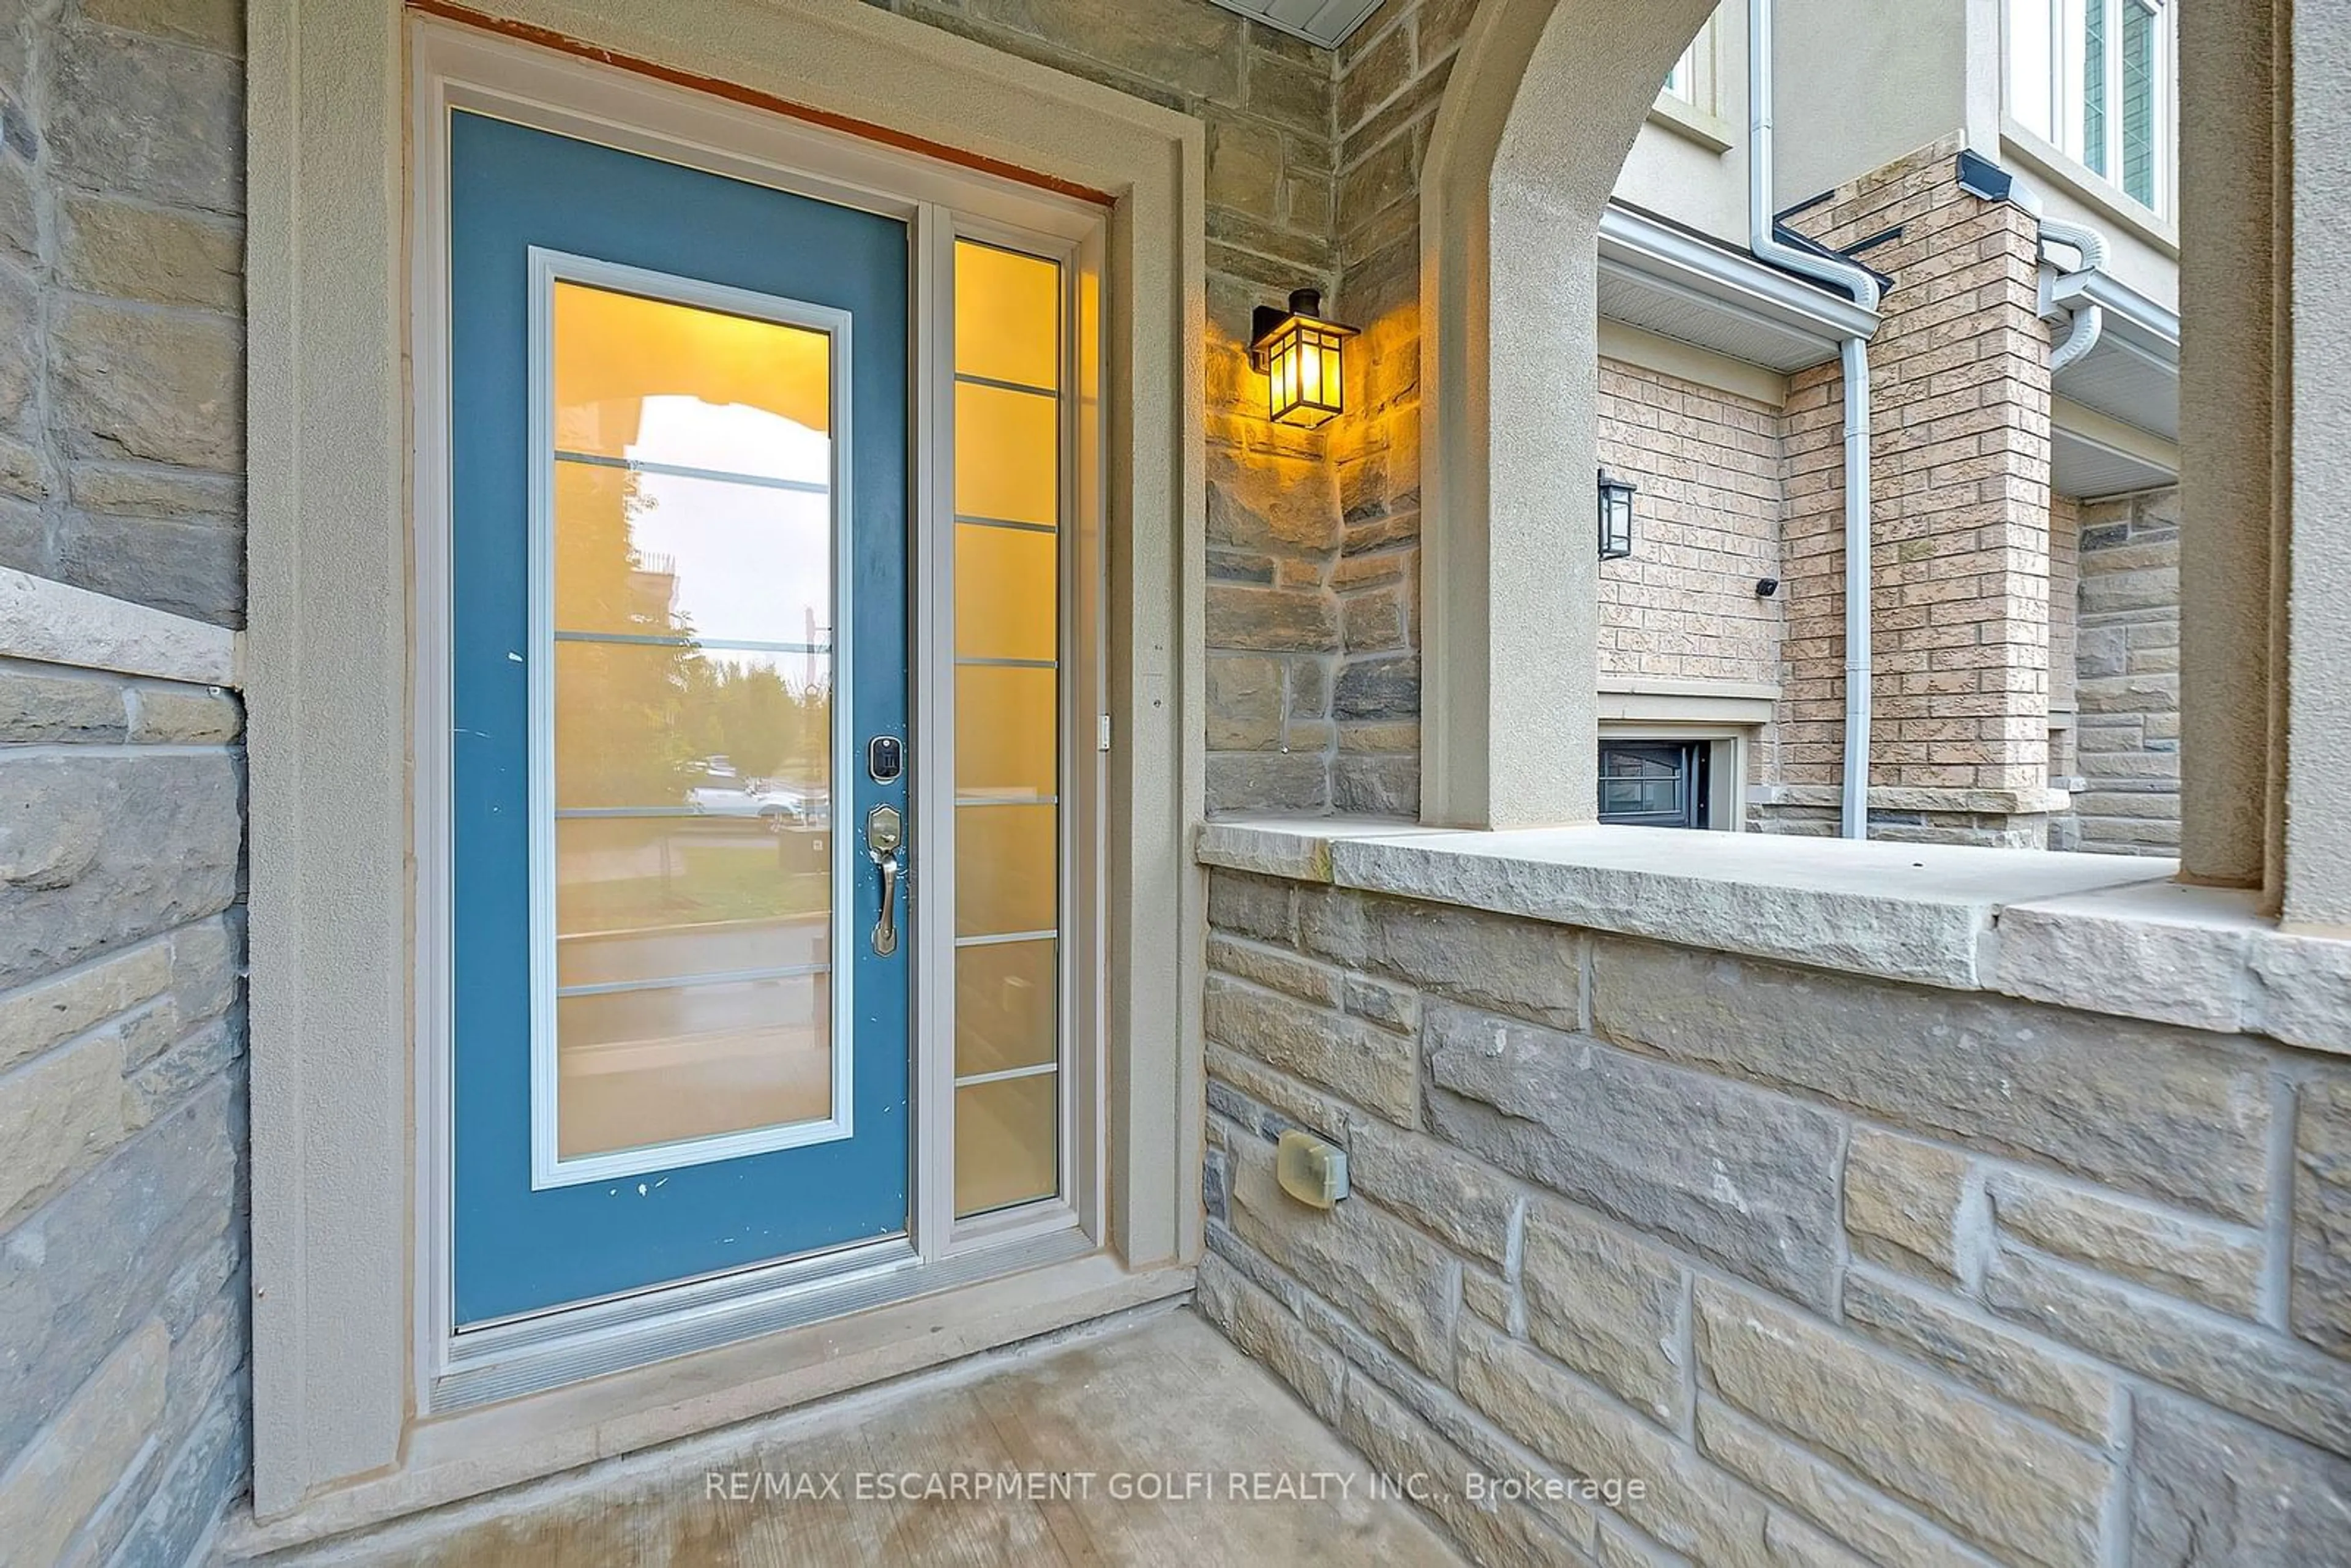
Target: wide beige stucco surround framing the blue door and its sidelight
{"x":337,"y":659}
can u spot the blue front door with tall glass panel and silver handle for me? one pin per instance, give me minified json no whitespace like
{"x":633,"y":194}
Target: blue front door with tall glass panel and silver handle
{"x":678,"y":624}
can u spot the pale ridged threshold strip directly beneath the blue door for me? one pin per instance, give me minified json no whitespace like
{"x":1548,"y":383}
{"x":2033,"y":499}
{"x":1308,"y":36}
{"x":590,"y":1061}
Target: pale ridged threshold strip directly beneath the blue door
{"x":558,"y":1348}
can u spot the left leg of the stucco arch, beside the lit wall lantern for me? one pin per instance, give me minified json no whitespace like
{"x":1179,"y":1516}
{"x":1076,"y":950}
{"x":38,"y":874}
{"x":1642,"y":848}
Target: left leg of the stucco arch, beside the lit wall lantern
{"x":1541,"y":109}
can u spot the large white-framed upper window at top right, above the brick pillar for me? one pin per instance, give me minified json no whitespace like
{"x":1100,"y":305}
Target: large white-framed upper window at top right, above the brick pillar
{"x":2096,"y":81}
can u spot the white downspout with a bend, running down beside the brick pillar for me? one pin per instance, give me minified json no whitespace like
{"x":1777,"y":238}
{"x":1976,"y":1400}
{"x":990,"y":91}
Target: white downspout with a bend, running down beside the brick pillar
{"x":1856,"y":366}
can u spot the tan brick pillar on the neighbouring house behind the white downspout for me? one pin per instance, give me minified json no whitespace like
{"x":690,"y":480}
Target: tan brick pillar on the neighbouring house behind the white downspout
{"x":1960,"y":523}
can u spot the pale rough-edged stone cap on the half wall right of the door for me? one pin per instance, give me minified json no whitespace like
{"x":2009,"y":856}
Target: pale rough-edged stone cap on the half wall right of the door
{"x":2103,"y":934}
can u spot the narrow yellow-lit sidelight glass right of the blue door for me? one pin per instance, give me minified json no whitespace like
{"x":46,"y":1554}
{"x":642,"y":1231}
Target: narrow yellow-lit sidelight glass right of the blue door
{"x":1010,"y":422}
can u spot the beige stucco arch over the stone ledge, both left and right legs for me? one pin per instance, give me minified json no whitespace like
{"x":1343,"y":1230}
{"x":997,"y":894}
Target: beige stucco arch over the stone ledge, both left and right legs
{"x":1541,"y":109}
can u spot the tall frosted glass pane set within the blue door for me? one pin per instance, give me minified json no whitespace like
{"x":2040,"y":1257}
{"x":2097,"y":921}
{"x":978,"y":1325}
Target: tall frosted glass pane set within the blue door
{"x":692,"y":540}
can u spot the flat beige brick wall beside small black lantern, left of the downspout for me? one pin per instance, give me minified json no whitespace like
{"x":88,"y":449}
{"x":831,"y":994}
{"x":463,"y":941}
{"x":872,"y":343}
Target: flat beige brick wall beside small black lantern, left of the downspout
{"x":1708,"y":525}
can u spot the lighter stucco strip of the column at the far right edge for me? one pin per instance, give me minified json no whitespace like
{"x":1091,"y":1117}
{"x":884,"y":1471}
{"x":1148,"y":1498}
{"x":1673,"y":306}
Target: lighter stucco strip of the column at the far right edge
{"x":2315,"y":558}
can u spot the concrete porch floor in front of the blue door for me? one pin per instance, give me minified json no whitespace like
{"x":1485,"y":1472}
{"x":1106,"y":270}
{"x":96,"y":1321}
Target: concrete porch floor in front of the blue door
{"x":1158,"y":1402}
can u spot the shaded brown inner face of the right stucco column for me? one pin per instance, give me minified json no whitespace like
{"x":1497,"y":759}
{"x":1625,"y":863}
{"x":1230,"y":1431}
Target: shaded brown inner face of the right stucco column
{"x":2228,"y":361}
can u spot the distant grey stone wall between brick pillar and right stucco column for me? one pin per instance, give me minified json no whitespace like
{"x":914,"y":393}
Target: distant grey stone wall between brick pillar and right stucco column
{"x":2129,"y":676}
